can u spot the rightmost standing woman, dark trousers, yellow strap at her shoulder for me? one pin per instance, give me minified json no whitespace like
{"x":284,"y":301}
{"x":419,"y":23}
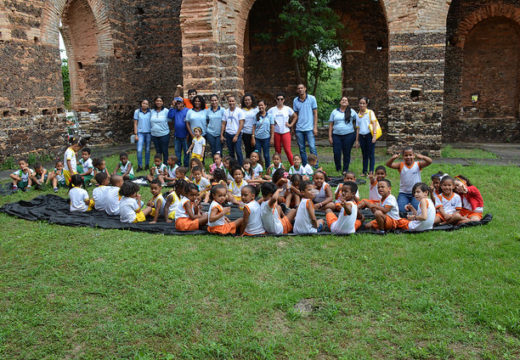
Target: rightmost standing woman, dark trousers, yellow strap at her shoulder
{"x":364,"y":137}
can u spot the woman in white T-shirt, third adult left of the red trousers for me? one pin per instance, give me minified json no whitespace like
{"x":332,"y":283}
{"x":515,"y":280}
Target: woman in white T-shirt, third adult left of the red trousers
{"x":232,"y":125}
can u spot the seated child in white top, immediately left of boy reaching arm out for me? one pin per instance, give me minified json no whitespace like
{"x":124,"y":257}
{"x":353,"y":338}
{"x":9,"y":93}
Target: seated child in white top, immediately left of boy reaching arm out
{"x":346,"y":222}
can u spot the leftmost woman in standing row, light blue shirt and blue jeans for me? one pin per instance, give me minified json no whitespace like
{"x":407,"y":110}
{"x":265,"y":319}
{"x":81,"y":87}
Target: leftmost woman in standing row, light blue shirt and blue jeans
{"x":142,"y":132}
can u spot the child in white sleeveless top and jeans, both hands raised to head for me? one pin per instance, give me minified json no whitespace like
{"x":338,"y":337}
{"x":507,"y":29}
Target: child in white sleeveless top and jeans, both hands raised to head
{"x":410,"y":171}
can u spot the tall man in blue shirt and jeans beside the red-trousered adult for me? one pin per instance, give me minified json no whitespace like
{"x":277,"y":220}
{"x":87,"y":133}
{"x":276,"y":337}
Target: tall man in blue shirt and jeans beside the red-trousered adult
{"x":306,"y":109}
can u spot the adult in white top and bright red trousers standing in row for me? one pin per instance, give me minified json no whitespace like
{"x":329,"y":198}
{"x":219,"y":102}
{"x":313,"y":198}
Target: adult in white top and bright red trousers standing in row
{"x":284,"y":120}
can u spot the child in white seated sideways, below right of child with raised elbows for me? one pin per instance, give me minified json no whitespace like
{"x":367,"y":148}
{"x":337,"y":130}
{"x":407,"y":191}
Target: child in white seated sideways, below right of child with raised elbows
{"x":424,"y":217}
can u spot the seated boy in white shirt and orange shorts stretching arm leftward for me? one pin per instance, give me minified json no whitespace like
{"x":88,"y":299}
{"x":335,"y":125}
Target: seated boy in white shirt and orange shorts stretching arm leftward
{"x":386,"y":211}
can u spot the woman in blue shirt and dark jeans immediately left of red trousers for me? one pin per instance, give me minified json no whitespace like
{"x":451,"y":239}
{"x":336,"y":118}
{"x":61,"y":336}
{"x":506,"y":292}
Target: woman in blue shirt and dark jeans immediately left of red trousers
{"x":263,"y":132}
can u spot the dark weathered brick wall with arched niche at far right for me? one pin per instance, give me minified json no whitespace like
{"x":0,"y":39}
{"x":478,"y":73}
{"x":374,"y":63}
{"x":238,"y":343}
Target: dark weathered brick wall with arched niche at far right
{"x":482,"y":57}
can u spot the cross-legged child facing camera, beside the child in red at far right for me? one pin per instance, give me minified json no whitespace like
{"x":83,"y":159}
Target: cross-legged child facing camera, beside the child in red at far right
{"x":448,"y":204}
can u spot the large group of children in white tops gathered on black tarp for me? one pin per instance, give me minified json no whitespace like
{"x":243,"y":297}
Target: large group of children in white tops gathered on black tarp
{"x":272,"y":201}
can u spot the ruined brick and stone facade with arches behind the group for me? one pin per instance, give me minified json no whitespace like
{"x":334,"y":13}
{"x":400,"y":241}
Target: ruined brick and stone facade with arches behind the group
{"x":435,"y":70}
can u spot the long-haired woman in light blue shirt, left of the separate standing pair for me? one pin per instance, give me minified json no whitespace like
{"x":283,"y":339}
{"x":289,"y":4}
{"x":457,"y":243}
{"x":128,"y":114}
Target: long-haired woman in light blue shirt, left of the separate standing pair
{"x":342,"y":133}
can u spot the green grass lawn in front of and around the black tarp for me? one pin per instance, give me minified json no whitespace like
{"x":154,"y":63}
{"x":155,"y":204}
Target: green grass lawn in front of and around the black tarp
{"x":91,"y":293}
